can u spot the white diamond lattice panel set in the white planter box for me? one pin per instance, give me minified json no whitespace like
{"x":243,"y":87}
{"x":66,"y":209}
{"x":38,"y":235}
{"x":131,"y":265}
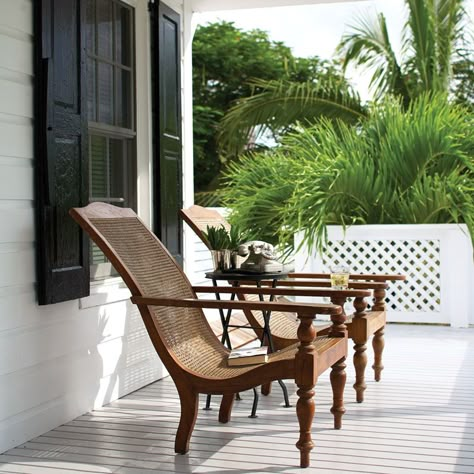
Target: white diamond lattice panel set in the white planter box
{"x":419,"y":260}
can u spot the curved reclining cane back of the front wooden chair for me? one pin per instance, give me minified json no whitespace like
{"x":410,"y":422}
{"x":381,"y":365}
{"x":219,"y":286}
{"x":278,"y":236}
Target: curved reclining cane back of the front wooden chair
{"x":181,"y":336}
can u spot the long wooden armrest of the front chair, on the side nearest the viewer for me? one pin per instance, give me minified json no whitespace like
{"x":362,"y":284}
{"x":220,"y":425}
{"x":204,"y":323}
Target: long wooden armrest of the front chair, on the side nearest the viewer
{"x":300,"y":308}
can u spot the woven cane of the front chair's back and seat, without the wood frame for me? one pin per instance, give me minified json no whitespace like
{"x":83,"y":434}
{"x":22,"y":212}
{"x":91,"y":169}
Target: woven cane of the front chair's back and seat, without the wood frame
{"x":184,"y":330}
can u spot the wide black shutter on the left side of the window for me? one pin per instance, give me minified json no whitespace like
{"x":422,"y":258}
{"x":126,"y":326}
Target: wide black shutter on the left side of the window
{"x":61,"y":150}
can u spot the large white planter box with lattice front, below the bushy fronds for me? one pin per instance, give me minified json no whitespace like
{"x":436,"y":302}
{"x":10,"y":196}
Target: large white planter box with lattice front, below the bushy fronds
{"x":437,"y":260}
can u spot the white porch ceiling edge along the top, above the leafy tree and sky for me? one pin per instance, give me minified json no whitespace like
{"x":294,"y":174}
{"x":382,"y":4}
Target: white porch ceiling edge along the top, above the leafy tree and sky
{"x":215,"y":5}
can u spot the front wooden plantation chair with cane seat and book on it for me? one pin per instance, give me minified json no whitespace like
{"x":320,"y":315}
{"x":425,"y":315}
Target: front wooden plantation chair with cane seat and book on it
{"x":184,"y":341}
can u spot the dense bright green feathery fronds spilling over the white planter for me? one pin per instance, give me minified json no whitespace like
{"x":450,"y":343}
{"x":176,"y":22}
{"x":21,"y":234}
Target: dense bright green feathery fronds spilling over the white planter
{"x":400,"y":165}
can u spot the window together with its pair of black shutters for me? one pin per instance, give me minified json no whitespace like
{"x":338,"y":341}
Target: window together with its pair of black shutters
{"x":79,"y":85}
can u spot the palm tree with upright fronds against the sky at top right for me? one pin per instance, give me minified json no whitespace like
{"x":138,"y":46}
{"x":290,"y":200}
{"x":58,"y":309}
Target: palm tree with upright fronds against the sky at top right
{"x":431,"y":38}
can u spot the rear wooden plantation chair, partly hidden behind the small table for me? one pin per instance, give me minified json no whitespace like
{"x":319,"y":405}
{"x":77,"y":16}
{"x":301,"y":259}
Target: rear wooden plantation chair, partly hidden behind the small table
{"x":361,"y":325}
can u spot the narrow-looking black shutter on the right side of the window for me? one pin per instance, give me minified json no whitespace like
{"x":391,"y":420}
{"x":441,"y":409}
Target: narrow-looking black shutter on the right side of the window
{"x":167,"y":161}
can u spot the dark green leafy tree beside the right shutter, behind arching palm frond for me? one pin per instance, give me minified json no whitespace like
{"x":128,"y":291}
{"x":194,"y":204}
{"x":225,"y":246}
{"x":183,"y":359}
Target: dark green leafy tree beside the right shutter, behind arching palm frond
{"x":225,"y":61}
